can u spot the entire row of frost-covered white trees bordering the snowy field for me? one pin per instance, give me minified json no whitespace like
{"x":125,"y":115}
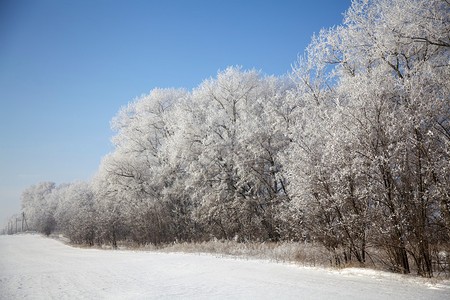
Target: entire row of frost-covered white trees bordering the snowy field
{"x":350,"y":150}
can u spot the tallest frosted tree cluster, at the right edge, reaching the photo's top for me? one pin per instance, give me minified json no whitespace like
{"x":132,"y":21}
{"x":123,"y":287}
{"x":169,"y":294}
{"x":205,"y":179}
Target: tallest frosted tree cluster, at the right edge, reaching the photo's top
{"x":375,"y":160}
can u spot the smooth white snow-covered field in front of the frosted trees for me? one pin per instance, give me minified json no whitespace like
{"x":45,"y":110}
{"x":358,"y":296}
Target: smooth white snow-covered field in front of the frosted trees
{"x":34,"y":267}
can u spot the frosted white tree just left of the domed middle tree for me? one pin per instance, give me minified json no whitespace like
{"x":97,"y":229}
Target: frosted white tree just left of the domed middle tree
{"x":132,"y":179}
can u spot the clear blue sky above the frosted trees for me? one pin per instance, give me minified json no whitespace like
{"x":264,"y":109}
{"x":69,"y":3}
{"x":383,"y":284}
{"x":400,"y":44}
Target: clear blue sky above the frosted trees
{"x":66,"y":68}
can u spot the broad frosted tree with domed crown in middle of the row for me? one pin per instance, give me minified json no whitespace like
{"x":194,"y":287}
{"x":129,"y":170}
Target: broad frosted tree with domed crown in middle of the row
{"x":232,"y":133}
